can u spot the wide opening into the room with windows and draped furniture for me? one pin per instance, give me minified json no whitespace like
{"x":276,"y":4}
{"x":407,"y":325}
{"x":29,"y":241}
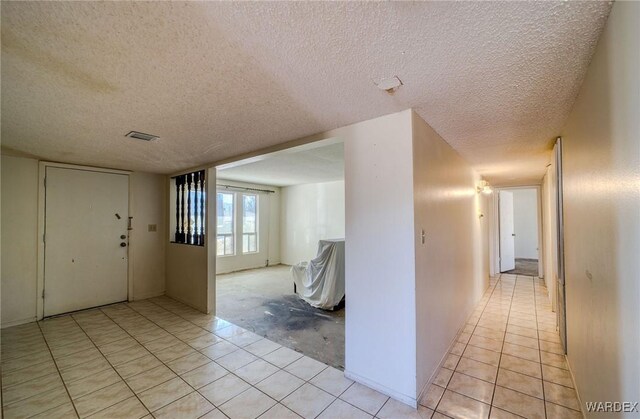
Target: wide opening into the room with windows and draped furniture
{"x":274,"y":215}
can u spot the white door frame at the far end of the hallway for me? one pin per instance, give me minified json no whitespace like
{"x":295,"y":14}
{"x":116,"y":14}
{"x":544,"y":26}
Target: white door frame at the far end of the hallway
{"x":494,"y":229}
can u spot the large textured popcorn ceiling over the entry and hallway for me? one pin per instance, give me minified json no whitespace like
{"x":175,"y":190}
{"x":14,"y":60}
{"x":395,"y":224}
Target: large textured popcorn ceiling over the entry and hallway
{"x":217,"y":79}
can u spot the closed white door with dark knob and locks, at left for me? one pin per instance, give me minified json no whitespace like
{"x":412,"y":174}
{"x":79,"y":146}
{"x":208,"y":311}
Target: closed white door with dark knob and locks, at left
{"x":86,"y":217}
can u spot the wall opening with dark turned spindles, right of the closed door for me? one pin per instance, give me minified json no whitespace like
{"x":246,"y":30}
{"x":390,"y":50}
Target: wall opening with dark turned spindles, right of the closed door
{"x":190,"y":208}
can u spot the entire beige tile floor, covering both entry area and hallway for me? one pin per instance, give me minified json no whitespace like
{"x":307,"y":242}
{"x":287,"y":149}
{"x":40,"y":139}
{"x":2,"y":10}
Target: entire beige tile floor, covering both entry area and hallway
{"x":163,"y":359}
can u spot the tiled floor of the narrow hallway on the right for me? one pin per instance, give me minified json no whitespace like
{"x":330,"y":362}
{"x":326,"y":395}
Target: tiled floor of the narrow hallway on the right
{"x":507,"y":362}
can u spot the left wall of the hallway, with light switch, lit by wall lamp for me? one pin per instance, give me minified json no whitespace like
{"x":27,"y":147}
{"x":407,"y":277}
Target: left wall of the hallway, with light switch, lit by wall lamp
{"x":452,"y":268}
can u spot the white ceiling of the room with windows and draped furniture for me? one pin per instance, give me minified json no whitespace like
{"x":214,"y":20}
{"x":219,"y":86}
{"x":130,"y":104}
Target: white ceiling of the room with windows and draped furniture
{"x":294,"y":167}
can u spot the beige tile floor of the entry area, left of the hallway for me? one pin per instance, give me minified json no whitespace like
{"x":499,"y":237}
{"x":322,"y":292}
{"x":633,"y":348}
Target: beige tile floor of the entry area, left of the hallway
{"x":163,"y":359}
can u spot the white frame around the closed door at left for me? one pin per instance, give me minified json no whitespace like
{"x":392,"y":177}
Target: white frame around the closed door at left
{"x":42,"y":172}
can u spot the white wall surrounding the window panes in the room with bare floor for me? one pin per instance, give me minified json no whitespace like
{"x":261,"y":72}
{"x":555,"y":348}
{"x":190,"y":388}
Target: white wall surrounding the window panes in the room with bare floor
{"x":268,"y":230}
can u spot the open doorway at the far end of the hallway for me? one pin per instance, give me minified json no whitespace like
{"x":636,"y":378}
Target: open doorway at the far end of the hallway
{"x":519,"y":231}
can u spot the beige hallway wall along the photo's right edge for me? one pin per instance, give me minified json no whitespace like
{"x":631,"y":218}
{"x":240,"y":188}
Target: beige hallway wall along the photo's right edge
{"x":601,"y":173}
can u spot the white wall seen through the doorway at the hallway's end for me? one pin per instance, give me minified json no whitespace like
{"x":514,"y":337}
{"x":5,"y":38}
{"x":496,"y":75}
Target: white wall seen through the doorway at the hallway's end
{"x":525,"y":222}
